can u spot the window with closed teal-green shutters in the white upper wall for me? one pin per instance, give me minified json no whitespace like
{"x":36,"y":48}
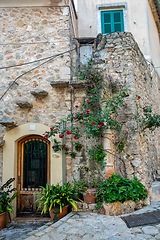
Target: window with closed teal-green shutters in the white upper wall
{"x":112,"y":21}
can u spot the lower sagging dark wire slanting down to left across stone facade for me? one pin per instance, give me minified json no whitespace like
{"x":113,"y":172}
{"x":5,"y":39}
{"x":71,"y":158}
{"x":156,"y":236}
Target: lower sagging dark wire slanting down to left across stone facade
{"x":51,"y":58}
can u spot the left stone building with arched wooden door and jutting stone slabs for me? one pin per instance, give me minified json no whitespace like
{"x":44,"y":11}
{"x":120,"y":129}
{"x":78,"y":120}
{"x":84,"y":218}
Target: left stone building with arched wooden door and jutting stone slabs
{"x":31,"y":31}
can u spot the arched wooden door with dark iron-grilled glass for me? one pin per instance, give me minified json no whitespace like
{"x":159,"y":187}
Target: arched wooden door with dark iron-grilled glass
{"x":33,"y":172}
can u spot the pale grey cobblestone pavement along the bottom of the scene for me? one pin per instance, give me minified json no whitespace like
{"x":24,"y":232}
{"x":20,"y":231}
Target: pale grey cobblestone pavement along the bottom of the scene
{"x":86,"y":226}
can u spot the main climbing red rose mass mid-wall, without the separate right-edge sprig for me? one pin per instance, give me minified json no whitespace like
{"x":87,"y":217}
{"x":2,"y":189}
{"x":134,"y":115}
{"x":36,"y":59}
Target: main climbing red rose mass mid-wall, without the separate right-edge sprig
{"x":97,"y":113}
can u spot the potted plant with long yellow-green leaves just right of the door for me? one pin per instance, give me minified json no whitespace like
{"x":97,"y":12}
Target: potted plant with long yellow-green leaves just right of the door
{"x":56,"y":199}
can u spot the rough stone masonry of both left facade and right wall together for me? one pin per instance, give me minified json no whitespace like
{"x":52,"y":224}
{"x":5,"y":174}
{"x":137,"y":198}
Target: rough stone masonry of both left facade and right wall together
{"x":120,"y":59}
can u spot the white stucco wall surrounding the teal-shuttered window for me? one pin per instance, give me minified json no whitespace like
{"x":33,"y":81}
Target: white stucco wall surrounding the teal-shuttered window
{"x":138,"y":15}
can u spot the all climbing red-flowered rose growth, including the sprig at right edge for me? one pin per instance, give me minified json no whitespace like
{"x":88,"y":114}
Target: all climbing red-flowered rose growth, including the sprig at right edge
{"x":98,"y":113}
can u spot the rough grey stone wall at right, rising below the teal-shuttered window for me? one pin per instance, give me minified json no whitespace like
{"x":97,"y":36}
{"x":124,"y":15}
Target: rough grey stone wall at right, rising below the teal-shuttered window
{"x":122,"y":62}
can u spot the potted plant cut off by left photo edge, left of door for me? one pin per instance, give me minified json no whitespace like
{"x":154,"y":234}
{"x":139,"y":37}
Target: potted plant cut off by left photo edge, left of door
{"x":6,"y":197}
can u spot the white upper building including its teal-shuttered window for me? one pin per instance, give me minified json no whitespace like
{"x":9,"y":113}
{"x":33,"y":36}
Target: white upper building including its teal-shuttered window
{"x":141,"y":18}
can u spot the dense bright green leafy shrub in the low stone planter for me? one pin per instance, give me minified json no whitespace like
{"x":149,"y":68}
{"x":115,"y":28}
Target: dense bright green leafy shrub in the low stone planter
{"x":121,"y":189}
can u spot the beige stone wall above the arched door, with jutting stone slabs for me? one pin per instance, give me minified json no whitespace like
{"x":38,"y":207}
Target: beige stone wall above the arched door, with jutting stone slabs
{"x":30,"y":34}
